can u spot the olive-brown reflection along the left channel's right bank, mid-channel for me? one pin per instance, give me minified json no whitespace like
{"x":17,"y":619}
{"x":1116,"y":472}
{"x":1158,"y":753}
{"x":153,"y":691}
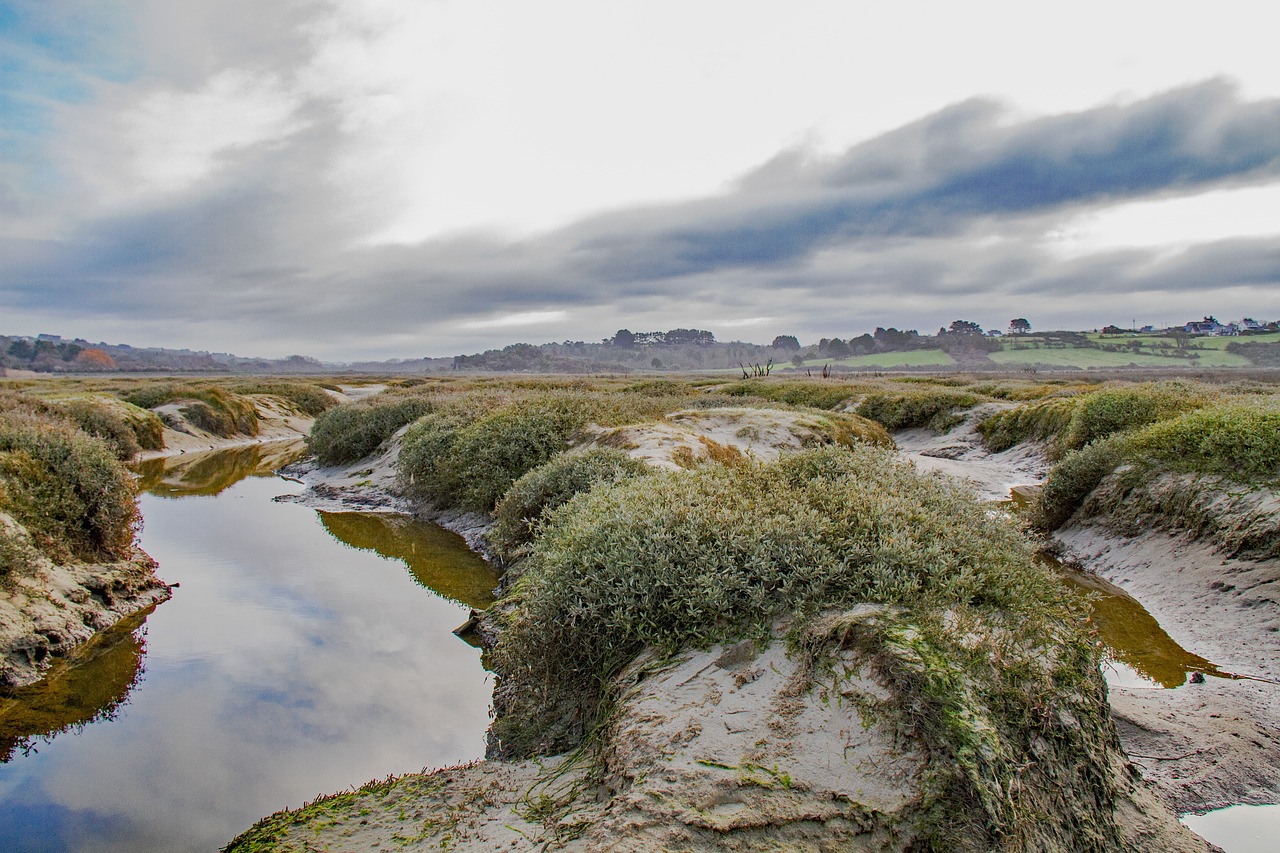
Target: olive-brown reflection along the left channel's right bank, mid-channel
{"x":438,"y":559}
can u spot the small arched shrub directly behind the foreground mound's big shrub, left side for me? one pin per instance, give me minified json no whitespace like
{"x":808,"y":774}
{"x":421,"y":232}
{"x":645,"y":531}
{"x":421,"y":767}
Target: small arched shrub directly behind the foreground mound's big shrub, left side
{"x":520,"y":513}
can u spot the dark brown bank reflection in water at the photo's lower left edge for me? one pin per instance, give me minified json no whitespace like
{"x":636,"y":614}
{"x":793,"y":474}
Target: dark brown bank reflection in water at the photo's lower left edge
{"x":86,"y":687}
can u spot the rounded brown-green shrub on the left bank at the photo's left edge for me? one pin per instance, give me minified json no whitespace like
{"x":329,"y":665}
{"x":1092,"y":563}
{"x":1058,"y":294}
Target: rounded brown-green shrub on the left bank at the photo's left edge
{"x":66,"y":489}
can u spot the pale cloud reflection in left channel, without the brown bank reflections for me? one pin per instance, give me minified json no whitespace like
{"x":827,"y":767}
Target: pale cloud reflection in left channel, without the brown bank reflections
{"x":285,"y":667}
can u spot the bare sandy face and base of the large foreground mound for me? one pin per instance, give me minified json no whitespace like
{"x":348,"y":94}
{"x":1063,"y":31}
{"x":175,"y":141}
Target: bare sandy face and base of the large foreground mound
{"x":732,"y":749}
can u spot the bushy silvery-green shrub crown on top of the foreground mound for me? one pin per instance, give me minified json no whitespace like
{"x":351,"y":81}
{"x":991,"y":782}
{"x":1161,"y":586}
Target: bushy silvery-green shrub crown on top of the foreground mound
{"x":694,"y":558}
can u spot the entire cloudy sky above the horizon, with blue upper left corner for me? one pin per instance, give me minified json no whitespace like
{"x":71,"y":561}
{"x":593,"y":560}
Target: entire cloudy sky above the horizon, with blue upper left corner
{"x":405,"y":179}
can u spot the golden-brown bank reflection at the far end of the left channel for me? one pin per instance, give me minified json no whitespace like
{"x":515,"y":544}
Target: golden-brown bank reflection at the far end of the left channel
{"x":216,"y":471}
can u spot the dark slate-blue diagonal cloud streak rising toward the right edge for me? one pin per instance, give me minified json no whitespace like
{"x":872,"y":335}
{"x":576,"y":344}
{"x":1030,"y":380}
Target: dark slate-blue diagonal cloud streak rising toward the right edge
{"x":938,"y":176}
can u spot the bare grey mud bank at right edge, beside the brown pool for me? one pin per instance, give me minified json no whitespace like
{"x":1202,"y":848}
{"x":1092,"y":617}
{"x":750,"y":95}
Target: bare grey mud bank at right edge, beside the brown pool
{"x":1204,"y":745}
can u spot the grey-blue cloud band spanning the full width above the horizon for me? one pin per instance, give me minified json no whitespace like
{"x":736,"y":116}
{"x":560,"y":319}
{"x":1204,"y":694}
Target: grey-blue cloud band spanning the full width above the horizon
{"x":948,"y":209}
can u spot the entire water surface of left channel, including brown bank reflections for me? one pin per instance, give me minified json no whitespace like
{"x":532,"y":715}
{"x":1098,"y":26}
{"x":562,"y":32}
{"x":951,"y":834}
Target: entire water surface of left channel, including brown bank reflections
{"x":303,"y":653}
